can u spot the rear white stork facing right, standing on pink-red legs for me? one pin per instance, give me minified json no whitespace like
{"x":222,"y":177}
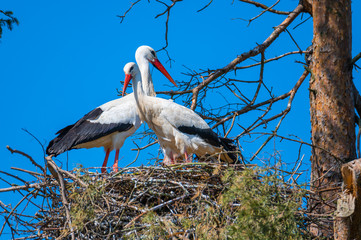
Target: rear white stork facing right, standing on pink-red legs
{"x":111,"y":123}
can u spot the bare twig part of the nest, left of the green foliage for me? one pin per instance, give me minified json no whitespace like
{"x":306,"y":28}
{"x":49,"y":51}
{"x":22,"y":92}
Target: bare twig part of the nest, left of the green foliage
{"x":119,"y":205}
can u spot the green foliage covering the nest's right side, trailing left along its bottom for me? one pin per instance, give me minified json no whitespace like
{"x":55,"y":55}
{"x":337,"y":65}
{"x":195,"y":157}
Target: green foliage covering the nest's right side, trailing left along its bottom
{"x":255,"y":204}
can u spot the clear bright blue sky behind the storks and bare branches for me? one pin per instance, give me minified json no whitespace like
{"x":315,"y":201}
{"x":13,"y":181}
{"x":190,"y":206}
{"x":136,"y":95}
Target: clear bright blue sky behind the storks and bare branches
{"x":66,"y":58}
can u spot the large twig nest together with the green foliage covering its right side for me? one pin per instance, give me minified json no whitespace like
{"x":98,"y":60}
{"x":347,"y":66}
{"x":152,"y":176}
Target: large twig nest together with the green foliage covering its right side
{"x":198,"y":202}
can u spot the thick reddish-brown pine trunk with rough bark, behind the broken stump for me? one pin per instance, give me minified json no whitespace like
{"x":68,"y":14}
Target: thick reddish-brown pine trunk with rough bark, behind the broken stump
{"x":332,"y":107}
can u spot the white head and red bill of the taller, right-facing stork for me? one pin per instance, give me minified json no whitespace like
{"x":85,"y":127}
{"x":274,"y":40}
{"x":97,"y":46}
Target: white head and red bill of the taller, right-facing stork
{"x":148,"y":53}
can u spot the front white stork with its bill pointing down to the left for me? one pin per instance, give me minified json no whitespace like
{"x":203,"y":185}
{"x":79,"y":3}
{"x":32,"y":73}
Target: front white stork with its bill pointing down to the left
{"x":180,"y":131}
